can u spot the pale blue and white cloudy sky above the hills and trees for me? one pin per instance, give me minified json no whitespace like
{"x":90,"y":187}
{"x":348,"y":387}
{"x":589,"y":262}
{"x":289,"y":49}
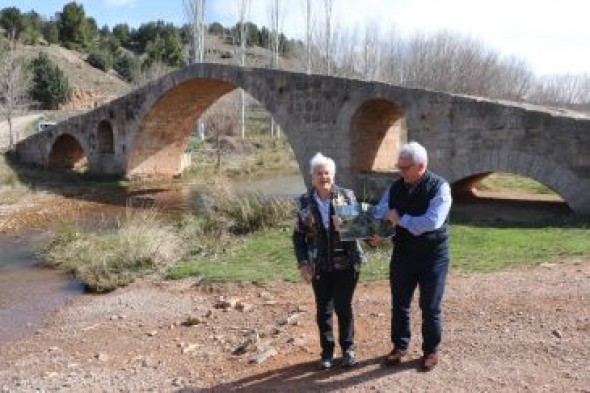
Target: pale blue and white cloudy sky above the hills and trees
{"x":553,"y":37}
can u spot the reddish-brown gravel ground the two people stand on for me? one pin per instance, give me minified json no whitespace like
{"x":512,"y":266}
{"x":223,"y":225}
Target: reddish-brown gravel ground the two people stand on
{"x":526,"y":329}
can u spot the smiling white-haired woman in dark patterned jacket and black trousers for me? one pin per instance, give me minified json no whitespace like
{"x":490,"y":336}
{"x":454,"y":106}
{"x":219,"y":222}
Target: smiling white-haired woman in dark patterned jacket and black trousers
{"x":328,"y":263}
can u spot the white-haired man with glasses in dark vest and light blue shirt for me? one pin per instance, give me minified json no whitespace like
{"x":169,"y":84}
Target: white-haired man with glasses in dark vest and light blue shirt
{"x":418,"y":204}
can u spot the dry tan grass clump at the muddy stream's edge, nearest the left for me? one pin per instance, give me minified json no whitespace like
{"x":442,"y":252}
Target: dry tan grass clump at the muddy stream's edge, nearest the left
{"x":109,"y":258}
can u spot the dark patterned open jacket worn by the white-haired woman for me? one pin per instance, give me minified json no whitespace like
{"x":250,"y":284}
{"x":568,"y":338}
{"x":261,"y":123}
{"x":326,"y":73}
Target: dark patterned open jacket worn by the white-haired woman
{"x":323,"y":248}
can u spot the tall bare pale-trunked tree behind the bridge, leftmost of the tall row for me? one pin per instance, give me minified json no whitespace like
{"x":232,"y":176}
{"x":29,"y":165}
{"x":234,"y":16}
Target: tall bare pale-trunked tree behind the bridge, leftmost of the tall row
{"x":195,"y":12}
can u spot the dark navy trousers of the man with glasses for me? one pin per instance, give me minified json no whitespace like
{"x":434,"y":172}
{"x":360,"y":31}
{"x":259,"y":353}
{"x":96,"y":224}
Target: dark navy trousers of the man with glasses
{"x":425,"y":267}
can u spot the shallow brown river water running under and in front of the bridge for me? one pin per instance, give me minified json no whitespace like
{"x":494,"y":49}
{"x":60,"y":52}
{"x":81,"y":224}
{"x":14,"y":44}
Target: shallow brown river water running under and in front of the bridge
{"x":29,"y":292}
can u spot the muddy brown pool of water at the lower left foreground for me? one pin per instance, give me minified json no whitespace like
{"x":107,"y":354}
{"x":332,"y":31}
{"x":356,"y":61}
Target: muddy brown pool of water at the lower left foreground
{"x":27,"y":291}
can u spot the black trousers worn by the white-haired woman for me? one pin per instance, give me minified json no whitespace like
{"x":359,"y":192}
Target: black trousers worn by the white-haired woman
{"x":333,"y":292}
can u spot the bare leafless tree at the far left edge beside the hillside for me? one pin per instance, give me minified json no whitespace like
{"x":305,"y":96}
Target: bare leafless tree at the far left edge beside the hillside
{"x":14,"y":88}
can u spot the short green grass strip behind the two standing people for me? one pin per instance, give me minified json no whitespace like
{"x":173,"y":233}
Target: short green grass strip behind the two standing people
{"x":268,"y":254}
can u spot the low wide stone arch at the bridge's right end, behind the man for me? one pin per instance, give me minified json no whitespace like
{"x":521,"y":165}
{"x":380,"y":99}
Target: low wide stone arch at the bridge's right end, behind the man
{"x":467,"y":171}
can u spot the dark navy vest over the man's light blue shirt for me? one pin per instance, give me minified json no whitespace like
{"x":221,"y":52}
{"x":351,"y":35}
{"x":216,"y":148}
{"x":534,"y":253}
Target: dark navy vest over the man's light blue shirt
{"x":414,"y":201}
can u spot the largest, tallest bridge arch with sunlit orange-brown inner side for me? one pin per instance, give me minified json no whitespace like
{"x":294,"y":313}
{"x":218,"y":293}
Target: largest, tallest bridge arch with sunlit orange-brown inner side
{"x":166,"y":120}
